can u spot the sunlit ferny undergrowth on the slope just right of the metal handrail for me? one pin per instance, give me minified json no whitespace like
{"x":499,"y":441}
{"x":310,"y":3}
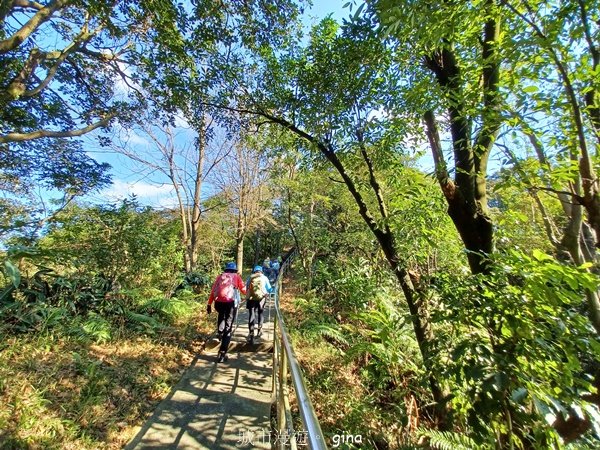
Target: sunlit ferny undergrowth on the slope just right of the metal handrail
{"x":358,"y":384}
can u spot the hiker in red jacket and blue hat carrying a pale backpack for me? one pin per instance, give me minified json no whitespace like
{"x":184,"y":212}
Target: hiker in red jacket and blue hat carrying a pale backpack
{"x":223,"y":294}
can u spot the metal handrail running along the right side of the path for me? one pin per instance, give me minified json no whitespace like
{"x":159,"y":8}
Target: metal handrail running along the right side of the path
{"x":284,"y":358}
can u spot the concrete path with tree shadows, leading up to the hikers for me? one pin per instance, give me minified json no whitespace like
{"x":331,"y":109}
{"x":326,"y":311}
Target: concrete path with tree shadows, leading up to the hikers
{"x":218,"y":405}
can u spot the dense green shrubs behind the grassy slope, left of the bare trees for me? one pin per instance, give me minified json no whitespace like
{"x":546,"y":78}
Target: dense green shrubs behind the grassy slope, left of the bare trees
{"x":127,"y":245}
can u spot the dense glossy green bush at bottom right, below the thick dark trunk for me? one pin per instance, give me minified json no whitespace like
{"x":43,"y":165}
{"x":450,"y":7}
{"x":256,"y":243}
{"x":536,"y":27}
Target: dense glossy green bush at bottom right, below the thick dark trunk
{"x":523,"y":352}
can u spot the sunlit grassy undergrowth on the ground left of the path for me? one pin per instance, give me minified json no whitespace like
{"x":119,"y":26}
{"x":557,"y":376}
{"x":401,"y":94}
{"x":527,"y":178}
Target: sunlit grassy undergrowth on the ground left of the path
{"x":86,"y":381}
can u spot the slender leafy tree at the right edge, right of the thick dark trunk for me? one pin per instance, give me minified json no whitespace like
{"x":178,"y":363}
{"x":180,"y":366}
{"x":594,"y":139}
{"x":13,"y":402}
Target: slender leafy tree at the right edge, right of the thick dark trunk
{"x":554,"y":34}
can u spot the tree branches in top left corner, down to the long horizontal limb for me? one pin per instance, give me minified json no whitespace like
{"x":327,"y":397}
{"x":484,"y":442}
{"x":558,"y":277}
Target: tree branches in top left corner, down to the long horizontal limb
{"x":61,"y":61}
